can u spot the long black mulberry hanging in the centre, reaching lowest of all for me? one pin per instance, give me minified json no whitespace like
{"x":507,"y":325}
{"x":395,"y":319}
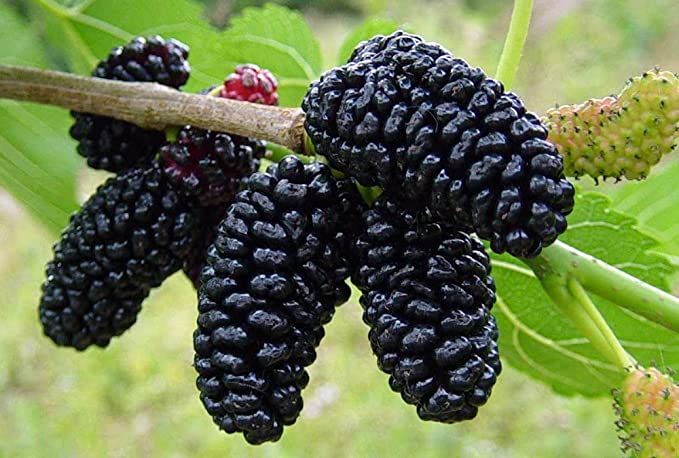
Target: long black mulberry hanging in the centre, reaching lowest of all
{"x":275,"y":274}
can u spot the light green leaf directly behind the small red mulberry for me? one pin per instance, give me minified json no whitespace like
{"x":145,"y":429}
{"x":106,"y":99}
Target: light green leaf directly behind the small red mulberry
{"x":278,"y":39}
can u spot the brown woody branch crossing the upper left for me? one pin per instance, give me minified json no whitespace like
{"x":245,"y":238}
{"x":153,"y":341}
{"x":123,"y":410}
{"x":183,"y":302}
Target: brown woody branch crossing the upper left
{"x":153,"y":105}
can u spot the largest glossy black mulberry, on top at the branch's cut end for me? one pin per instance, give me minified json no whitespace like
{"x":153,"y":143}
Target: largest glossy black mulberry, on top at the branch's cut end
{"x":405,"y":114}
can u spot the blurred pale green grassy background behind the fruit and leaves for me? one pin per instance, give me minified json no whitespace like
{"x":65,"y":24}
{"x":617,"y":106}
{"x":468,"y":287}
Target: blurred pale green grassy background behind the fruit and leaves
{"x":138,"y":398}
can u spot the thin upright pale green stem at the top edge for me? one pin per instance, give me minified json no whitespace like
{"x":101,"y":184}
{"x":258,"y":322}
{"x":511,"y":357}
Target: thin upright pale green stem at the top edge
{"x":514,"y":43}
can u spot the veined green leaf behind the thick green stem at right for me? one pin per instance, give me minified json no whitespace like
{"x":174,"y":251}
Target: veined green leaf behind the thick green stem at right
{"x":537,"y":339}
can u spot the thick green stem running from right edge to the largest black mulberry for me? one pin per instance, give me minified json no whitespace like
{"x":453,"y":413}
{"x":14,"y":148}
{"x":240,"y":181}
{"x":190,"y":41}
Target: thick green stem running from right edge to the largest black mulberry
{"x":609,"y":283}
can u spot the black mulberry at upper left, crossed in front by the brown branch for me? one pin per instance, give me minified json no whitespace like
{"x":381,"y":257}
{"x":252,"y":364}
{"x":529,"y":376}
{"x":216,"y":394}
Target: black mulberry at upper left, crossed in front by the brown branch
{"x":116,"y":145}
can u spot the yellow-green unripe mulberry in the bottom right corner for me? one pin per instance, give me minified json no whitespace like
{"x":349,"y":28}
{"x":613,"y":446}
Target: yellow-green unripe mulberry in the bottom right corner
{"x":648,"y":407}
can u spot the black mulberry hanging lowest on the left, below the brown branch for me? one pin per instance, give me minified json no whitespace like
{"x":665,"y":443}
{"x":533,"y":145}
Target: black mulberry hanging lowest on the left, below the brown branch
{"x":127,"y":238}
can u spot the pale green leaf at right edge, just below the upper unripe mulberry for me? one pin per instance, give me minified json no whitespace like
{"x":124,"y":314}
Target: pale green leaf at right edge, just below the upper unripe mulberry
{"x":654,"y":203}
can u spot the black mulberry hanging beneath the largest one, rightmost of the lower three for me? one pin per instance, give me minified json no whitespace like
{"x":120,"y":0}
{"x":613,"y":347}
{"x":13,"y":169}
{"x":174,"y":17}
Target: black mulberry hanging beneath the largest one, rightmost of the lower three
{"x":427,"y":296}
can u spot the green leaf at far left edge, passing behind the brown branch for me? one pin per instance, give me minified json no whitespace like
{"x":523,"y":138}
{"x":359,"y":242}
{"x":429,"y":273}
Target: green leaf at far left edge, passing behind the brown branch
{"x":37,"y":159}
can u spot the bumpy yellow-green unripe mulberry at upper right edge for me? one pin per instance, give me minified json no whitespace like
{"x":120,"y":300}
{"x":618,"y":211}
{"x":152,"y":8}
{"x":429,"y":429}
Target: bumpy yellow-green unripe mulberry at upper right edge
{"x":621,"y":136}
